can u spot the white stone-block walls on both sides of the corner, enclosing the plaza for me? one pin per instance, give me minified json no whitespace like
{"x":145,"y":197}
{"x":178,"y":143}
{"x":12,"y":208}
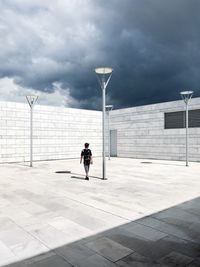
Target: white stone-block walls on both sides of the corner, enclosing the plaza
{"x":60,"y":133}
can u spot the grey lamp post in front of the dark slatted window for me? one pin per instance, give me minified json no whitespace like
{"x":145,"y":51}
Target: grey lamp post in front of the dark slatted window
{"x":186,"y":96}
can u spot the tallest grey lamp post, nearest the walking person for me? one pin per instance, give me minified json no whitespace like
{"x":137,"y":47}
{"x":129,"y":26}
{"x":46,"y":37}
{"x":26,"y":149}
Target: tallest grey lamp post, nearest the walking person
{"x":103,"y":75}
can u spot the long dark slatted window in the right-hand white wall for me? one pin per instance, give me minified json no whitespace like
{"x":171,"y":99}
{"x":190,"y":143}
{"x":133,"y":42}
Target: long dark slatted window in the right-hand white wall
{"x":175,"y":120}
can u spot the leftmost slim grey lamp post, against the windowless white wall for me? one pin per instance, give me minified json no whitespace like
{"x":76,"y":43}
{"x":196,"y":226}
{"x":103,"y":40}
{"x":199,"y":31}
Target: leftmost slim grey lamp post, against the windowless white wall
{"x":31,"y":99}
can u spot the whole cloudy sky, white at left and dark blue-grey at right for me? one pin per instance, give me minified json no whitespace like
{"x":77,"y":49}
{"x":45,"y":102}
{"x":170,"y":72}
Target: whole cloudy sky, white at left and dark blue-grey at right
{"x":51,"y":48}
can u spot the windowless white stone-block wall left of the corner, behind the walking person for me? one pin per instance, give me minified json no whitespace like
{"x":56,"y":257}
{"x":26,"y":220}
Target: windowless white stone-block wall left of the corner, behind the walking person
{"x":59,"y":133}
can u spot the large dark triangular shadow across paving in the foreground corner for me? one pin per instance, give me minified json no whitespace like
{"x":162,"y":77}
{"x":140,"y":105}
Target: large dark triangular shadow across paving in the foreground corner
{"x":168,"y":238}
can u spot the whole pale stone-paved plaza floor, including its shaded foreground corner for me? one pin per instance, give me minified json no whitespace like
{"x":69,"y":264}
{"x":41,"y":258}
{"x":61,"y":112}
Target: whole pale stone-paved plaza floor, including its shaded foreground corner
{"x":147,"y":213}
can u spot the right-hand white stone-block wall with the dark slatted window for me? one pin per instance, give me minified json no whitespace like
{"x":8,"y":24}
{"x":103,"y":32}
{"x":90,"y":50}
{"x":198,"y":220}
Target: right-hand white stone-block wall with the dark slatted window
{"x":141,"y":133}
